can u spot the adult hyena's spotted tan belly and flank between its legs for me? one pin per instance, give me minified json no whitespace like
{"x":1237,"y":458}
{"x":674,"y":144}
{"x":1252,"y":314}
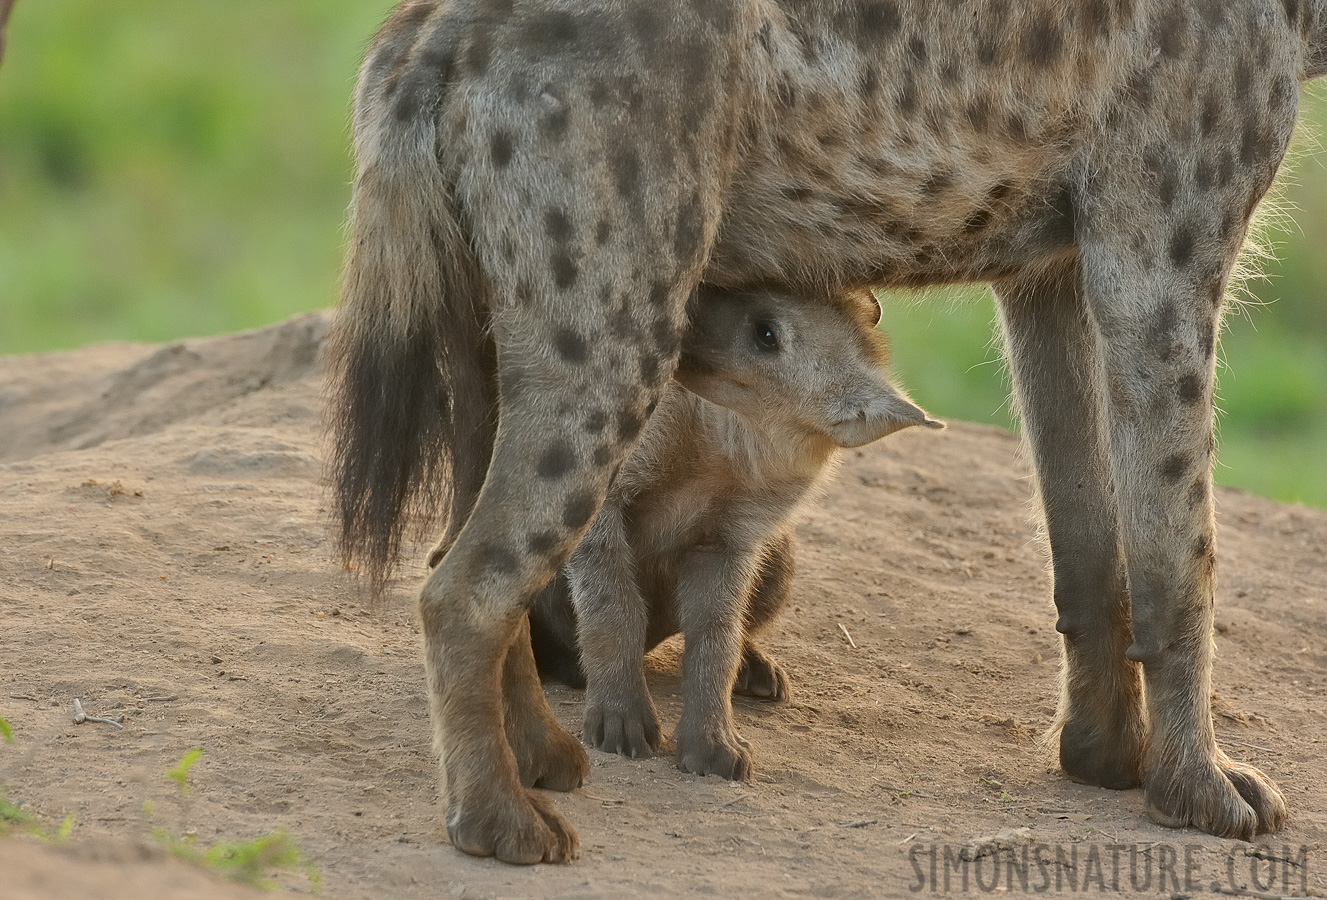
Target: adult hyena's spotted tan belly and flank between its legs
{"x":880,"y":157}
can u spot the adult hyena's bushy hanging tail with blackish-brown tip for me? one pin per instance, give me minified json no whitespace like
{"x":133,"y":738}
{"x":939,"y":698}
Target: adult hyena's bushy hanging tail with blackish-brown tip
{"x":412,"y":366}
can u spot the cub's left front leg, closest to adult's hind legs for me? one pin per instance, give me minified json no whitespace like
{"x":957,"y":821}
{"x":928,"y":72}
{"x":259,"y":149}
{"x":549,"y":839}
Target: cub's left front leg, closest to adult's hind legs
{"x":614,"y":622}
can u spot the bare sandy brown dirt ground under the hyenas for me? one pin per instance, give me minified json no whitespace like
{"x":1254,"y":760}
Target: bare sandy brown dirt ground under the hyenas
{"x":168,"y":560}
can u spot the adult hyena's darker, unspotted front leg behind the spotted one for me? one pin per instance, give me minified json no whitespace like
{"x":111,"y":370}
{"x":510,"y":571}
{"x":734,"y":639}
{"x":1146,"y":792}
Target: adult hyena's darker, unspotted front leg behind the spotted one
{"x":1054,"y":360}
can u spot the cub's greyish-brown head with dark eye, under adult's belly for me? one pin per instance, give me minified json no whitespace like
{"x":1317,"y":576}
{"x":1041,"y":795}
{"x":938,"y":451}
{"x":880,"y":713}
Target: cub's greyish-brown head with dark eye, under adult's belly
{"x":815,"y":364}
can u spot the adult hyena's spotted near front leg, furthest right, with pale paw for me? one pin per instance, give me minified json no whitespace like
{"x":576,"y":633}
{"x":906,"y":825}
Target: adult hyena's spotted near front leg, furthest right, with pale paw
{"x":1158,"y":322}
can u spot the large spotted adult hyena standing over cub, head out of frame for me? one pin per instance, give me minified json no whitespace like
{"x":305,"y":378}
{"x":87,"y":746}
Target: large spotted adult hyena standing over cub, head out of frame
{"x":543,"y":184}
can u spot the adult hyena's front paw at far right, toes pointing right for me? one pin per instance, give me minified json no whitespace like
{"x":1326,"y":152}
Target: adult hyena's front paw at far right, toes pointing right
{"x":1224,"y":798}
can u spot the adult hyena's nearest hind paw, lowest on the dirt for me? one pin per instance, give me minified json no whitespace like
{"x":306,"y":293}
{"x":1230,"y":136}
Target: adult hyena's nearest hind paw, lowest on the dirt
{"x":521,"y":828}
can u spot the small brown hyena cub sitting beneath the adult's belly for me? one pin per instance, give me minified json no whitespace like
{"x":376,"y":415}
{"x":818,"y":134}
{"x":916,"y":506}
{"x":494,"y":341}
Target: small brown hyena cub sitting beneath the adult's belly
{"x":695,"y":534}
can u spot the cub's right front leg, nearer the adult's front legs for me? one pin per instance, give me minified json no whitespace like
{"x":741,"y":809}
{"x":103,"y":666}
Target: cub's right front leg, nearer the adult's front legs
{"x":713,"y":591}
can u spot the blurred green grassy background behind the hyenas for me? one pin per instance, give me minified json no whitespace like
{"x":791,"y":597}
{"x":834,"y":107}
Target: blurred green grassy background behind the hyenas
{"x":175,"y":169}
